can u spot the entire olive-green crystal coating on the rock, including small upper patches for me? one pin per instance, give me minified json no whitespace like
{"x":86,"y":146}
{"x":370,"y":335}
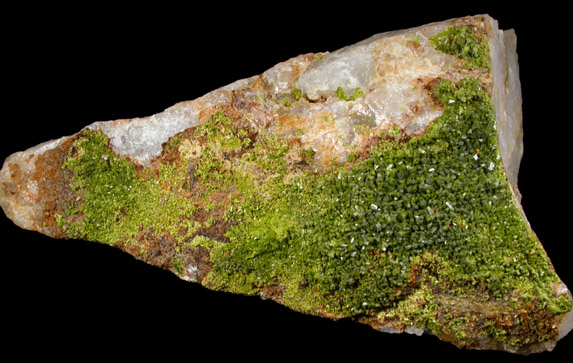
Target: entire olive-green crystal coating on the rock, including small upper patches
{"x":415,"y":233}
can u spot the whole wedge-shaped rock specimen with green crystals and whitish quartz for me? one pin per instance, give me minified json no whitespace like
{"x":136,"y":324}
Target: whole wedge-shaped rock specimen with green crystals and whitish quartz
{"x":377,"y":182}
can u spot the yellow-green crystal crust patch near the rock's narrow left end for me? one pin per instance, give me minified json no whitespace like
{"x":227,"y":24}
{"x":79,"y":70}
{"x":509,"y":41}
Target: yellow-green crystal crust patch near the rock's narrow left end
{"x":116,"y":200}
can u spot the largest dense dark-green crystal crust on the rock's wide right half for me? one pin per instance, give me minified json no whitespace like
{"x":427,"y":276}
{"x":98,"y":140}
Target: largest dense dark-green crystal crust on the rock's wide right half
{"x":347,"y":241}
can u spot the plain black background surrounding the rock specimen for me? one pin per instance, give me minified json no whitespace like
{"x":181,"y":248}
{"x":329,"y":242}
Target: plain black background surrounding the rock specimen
{"x":66,"y":67}
